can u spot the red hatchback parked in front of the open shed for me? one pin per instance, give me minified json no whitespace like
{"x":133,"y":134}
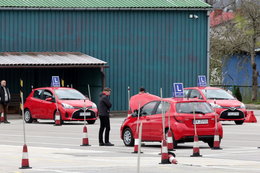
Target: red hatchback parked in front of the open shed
{"x":42,"y":103}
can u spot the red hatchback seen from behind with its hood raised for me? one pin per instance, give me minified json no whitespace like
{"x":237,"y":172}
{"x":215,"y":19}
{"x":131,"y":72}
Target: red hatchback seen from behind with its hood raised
{"x":180,"y":112}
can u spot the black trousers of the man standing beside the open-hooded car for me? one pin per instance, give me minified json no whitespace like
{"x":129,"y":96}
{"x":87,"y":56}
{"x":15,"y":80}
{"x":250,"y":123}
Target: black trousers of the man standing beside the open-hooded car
{"x":104,"y":124}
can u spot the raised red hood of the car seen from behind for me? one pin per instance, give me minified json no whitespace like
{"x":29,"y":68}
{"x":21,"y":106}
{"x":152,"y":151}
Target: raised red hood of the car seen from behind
{"x":141,"y":99}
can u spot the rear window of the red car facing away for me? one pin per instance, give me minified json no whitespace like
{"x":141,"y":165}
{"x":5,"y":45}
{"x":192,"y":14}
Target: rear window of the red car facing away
{"x":194,"y":107}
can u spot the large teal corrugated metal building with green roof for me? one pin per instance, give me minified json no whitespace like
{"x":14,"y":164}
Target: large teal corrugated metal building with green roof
{"x":149,"y":43}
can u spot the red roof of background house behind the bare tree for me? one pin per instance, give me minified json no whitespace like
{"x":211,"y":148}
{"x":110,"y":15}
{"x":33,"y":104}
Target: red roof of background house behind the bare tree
{"x":218,"y":16}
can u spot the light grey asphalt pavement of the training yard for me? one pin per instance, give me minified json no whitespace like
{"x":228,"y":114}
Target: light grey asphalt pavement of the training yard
{"x":56,"y":149}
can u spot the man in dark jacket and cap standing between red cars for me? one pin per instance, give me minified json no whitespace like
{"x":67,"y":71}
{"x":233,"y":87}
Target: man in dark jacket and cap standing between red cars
{"x":103,"y":109}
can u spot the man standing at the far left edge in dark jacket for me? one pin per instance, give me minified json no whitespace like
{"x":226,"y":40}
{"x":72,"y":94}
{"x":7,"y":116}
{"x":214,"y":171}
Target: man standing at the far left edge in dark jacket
{"x":5,"y":98}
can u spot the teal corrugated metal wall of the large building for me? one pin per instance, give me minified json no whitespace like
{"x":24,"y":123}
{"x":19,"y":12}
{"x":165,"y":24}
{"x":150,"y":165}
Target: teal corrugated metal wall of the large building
{"x":143,"y":48}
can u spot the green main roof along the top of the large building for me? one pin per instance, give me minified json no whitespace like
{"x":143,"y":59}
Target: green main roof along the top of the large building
{"x":107,"y":4}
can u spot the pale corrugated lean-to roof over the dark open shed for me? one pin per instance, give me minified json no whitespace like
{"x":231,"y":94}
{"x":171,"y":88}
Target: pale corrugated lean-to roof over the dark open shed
{"x":48,"y":60}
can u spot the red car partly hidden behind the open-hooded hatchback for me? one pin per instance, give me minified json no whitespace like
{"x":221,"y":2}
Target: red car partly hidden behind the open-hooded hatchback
{"x":225,"y":105}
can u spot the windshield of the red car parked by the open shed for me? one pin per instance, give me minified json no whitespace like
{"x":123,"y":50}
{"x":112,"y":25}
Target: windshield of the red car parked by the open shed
{"x":69,"y":94}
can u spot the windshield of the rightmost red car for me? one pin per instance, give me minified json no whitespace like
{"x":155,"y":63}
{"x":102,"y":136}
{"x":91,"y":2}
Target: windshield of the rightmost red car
{"x":218,"y":94}
